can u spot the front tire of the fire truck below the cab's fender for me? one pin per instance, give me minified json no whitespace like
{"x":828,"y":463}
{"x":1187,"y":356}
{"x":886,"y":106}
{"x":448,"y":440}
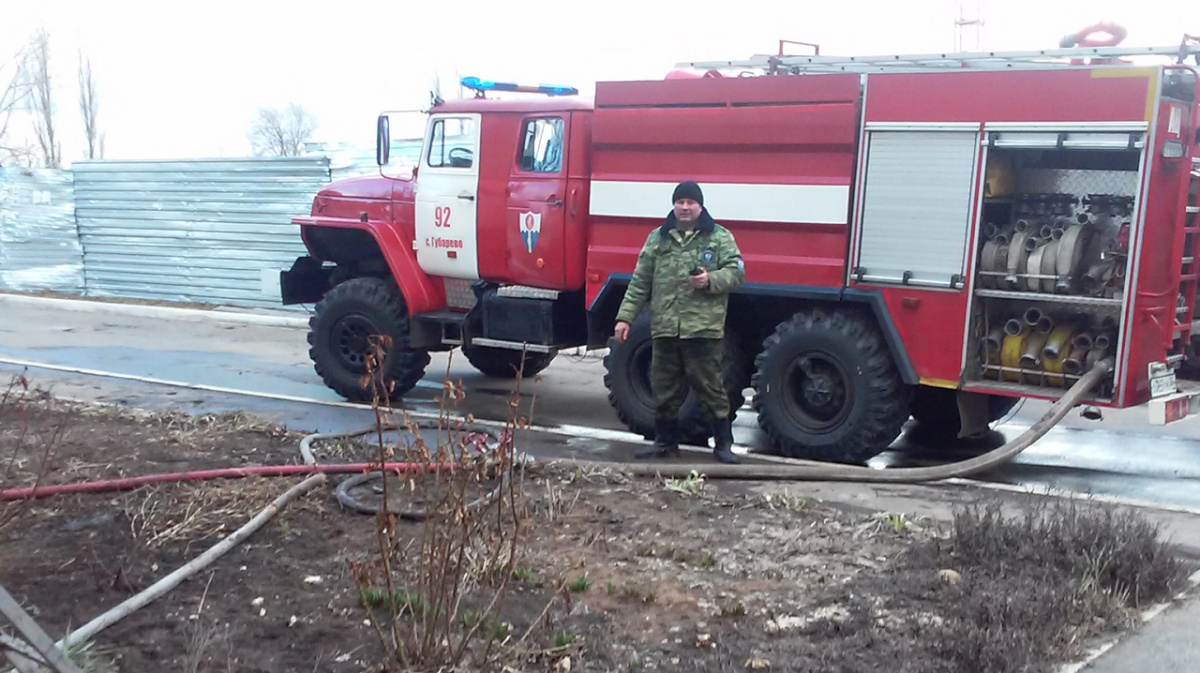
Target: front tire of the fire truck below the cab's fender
{"x":339,"y":338}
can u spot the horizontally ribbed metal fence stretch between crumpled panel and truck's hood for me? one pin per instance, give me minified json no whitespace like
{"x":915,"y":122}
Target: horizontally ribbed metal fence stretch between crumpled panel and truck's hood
{"x":211,"y":231}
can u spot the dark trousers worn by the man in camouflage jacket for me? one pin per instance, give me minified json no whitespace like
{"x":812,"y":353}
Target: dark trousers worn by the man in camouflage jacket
{"x":698,"y":362}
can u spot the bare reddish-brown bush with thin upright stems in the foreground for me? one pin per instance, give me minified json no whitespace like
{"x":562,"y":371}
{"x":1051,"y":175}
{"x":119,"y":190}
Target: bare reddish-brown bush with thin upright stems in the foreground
{"x":435,"y":598}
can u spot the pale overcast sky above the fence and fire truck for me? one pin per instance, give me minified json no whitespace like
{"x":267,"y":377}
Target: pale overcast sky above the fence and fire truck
{"x":185,"y":80}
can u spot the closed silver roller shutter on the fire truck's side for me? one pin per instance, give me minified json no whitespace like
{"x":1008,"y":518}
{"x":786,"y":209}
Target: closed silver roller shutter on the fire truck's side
{"x":917,"y":207}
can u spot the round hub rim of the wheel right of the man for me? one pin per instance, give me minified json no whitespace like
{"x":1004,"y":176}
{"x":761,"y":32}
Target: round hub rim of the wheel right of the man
{"x":817,"y":392}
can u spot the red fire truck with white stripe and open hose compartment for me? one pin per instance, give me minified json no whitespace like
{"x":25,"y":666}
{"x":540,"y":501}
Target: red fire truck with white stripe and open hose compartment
{"x":913,"y":227}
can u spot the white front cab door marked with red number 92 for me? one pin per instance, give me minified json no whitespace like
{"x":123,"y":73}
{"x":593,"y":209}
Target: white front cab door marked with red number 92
{"x":447,"y":190}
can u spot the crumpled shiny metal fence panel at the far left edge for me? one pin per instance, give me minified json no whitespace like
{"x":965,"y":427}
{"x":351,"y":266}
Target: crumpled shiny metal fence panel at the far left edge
{"x":39,"y":241}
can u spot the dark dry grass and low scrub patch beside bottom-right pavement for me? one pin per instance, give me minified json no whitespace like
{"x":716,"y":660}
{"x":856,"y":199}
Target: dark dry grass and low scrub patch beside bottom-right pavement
{"x":1029,"y":590}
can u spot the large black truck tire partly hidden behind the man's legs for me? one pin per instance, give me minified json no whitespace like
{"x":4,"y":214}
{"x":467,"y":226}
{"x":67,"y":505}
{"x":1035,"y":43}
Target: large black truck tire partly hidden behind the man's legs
{"x":628,"y":380}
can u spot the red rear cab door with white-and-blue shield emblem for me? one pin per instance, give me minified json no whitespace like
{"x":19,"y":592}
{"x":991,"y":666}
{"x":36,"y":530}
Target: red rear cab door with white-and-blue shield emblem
{"x":536,"y":236}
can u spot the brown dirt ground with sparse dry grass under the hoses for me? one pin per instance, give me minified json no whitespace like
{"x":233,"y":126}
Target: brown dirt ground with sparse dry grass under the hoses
{"x":614,"y":574}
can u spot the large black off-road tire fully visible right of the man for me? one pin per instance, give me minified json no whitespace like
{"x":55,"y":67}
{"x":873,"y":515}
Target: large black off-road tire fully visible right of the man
{"x":826,"y":388}
